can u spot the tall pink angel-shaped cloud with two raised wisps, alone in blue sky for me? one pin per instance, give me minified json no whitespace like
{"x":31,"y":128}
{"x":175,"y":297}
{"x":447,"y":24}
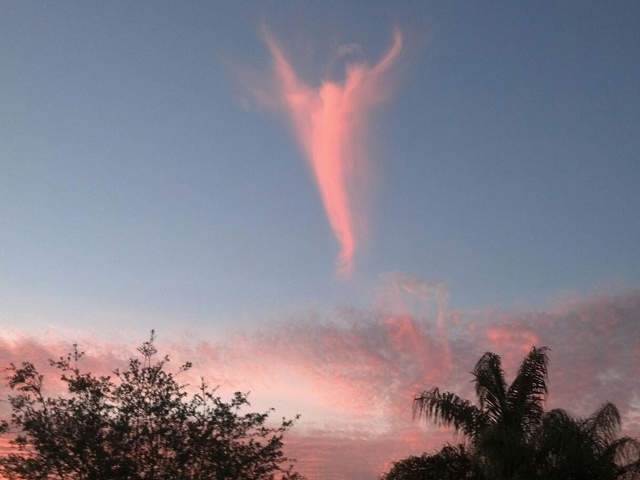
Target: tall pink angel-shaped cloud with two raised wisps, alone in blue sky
{"x":328,"y":121}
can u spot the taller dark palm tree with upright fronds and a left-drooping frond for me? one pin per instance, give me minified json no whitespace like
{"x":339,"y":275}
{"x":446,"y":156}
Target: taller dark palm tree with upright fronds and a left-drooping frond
{"x":503,"y":425}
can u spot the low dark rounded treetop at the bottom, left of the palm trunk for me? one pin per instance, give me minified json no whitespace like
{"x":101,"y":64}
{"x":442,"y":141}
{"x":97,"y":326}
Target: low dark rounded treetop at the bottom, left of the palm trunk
{"x":450,"y":463}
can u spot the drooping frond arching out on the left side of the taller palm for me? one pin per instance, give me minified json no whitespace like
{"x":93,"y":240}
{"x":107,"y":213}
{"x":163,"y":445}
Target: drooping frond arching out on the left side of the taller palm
{"x":448,"y":409}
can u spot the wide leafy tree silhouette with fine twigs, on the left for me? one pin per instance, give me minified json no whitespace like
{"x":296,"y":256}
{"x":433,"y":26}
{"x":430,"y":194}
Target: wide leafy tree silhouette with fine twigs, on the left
{"x":139,"y":423}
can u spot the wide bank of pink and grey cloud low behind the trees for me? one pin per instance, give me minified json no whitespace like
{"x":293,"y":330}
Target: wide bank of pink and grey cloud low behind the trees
{"x":353,"y":377}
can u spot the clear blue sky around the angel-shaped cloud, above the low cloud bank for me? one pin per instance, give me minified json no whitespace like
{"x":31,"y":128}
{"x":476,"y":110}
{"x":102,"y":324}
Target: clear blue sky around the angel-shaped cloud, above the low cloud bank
{"x":133,"y":179}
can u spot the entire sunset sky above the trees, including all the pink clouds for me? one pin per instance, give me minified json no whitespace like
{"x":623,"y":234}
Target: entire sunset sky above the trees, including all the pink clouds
{"x":437,"y":178}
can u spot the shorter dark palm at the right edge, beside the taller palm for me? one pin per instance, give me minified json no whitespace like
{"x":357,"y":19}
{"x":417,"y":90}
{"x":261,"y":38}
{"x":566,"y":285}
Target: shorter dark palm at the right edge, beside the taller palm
{"x":573,"y":448}
